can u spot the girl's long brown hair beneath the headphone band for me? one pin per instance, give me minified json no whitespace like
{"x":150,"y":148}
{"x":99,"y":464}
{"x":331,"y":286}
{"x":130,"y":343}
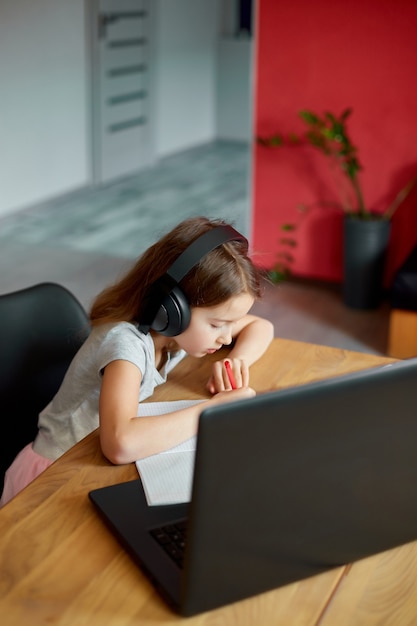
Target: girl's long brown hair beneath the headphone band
{"x":224,"y":272}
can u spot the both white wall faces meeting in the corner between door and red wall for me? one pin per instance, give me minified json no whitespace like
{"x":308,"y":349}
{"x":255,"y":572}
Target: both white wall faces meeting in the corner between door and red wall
{"x":203,"y":75}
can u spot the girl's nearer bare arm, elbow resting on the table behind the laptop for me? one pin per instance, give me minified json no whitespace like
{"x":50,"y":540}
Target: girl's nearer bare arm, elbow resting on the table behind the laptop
{"x":125,"y":438}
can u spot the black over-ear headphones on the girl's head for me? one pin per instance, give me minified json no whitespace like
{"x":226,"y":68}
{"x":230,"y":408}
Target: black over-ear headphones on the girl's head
{"x":166,"y":309}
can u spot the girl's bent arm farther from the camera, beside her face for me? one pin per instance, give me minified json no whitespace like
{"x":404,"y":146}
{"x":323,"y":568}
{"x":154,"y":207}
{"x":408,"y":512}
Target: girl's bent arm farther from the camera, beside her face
{"x":252,"y":336}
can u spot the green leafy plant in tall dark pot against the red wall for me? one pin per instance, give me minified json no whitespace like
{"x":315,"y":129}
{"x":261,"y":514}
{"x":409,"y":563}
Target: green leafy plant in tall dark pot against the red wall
{"x":366,"y":233}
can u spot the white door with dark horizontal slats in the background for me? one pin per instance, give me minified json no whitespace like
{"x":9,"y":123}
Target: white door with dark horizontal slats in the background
{"x":122,"y":137}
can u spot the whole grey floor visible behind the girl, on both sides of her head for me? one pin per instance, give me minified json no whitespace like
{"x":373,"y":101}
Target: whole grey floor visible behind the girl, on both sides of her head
{"x":87,"y":239}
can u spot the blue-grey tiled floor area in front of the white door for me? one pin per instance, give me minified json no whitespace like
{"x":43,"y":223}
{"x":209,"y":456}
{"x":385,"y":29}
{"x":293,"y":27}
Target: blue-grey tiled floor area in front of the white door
{"x":124,"y":218}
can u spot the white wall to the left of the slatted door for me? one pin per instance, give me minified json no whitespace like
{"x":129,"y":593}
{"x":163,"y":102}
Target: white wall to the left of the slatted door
{"x":43,"y":100}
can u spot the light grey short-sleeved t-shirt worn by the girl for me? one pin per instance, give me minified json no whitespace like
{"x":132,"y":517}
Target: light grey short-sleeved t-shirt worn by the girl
{"x":73,"y":412}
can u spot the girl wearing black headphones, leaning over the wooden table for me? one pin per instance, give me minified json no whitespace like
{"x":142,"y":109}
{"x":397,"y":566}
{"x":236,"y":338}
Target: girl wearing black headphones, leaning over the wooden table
{"x":189,"y":293}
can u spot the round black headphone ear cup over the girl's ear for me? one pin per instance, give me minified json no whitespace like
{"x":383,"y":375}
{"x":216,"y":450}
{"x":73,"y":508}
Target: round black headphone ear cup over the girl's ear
{"x":173,"y":315}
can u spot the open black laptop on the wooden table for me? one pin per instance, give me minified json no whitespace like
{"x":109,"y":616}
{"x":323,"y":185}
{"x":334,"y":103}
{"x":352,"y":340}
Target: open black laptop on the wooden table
{"x":286,"y":485}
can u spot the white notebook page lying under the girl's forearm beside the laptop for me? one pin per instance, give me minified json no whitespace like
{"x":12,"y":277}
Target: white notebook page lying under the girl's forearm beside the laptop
{"x":167,"y":477}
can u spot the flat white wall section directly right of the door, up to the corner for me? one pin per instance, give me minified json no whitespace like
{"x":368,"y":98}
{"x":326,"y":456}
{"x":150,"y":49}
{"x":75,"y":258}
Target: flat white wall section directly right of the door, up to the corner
{"x":186,"y":43}
